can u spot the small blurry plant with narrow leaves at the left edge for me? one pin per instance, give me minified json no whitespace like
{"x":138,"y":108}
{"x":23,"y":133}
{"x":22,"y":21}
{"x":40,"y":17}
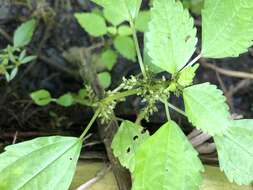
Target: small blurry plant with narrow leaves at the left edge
{"x":15,"y":55}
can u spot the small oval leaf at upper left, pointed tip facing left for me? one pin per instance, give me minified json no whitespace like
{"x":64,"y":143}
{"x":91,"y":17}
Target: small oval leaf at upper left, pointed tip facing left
{"x":93,"y":23}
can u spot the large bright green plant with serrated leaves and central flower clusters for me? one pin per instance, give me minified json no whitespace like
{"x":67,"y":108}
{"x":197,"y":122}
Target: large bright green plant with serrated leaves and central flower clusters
{"x":166,"y":159}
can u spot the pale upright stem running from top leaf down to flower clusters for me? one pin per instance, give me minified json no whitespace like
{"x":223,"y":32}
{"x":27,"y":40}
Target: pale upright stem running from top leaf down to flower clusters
{"x":137,"y":47}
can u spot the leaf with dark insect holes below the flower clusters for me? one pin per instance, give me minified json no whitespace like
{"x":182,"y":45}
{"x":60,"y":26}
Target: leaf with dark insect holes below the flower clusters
{"x":126,"y":142}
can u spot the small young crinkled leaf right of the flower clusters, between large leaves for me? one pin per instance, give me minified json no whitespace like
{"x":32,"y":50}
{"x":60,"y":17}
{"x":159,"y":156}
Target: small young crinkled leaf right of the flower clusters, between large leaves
{"x":187,"y":75}
